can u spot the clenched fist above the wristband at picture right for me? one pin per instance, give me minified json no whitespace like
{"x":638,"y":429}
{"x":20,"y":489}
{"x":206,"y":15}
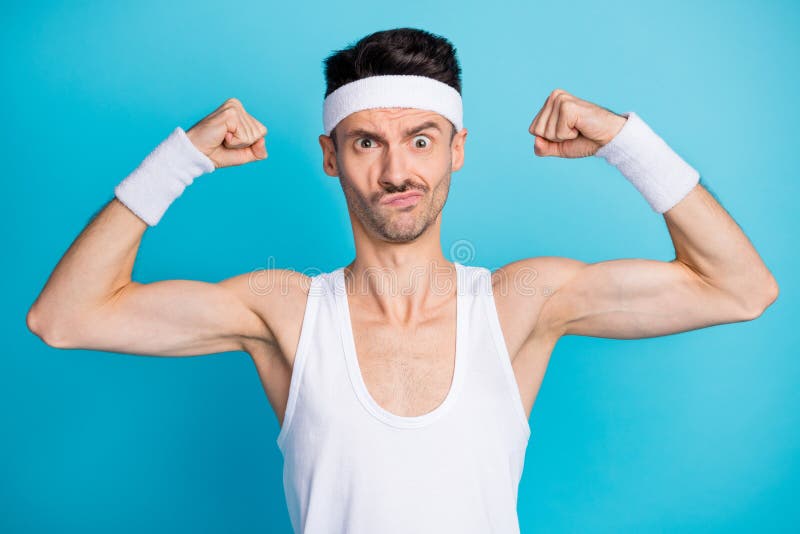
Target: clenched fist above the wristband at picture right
{"x":568,"y":127}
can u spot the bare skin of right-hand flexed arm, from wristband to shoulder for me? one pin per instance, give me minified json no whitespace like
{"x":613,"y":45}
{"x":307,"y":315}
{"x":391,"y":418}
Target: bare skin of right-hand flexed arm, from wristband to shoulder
{"x":717,"y":277}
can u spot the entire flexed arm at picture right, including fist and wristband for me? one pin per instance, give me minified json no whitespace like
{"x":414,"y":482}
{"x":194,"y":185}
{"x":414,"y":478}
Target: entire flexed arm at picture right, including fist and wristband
{"x":716,"y":277}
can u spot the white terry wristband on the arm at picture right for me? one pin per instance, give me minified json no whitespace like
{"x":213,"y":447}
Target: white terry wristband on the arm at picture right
{"x":660,"y":175}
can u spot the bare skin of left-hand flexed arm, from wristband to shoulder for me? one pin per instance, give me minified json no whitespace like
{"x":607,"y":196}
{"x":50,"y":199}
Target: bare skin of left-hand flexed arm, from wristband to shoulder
{"x":91,"y":302}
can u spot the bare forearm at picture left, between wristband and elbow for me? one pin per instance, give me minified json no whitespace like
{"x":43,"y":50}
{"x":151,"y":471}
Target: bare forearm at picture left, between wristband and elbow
{"x":96,"y":265}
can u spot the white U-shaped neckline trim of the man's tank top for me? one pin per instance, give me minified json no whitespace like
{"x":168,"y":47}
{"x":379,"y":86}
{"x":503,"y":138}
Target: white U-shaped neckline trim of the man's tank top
{"x":354,"y":370}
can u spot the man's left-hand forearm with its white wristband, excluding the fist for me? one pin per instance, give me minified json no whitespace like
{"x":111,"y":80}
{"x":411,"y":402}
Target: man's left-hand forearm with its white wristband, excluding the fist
{"x":100,"y":261}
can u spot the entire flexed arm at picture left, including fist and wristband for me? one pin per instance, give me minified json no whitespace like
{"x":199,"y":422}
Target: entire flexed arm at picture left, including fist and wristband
{"x":90,"y":300}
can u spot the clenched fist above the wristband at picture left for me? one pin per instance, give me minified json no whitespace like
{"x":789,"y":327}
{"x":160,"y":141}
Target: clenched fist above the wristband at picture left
{"x":229,"y":136}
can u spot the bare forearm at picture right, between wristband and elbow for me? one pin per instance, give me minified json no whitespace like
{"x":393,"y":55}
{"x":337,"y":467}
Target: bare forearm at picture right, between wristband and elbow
{"x":708,"y":240}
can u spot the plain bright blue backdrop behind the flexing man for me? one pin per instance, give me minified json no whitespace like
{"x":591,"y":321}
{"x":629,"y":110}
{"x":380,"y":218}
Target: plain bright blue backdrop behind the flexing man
{"x":695,"y":432}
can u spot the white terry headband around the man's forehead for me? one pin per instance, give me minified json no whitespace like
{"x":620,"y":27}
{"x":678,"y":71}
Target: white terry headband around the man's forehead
{"x":392,"y":91}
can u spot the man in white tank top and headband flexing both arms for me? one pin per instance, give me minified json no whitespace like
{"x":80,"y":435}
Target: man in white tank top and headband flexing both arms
{"x":402,"y":409}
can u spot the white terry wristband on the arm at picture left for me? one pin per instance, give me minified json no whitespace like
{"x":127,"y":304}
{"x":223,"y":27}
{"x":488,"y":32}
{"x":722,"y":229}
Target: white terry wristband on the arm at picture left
{"x":162,"y":176}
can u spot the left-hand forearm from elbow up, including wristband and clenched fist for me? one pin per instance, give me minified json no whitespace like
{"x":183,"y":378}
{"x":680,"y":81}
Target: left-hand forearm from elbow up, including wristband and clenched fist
{"x":99,"y":263}
